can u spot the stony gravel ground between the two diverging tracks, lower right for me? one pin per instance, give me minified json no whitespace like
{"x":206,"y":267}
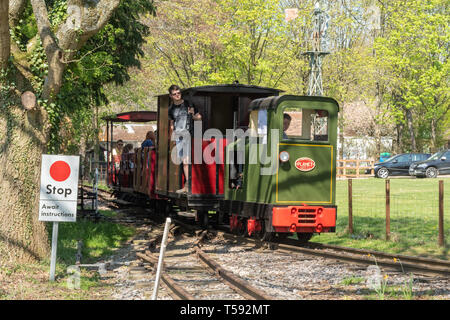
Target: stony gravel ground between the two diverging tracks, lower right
{"x":297,"y":276}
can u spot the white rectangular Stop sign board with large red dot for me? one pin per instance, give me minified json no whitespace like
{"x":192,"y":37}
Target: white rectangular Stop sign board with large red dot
{"x":59,"y":188}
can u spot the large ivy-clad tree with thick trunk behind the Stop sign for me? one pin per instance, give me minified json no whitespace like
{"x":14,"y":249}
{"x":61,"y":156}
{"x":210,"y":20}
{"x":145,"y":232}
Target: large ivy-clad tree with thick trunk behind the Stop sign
{"x":63,"y":51}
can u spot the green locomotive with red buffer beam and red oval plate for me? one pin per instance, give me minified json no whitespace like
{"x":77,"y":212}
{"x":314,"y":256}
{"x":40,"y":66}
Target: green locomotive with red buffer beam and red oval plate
{"x":288,"y":180}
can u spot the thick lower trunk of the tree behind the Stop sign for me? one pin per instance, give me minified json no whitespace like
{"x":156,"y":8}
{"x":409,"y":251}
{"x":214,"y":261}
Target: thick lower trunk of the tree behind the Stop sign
{"x":22,"y":237}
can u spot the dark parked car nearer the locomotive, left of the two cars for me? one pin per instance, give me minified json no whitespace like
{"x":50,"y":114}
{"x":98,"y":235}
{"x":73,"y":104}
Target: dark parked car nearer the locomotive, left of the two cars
{"x":398,"y":165}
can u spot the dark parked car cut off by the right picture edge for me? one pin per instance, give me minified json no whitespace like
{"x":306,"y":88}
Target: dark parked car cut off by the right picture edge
{"x":438,"y":163}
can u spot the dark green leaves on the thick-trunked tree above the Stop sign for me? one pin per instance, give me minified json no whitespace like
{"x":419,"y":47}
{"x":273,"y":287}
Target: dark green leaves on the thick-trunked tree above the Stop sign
{"x":105,"y":58}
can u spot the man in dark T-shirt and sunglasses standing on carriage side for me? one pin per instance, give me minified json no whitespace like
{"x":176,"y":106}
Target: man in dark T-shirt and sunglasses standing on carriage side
{"x":181,"y":115}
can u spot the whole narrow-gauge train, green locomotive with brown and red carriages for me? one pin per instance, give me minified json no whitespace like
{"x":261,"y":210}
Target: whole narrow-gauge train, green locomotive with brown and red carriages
{"x":259,"y":173}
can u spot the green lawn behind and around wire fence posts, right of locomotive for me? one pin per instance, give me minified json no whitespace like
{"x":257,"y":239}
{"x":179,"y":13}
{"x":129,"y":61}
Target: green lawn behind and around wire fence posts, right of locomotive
{"x":414,"y":216}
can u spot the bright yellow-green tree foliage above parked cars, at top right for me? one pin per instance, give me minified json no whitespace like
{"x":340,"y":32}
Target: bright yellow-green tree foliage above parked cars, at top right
{"x":413,"y":53}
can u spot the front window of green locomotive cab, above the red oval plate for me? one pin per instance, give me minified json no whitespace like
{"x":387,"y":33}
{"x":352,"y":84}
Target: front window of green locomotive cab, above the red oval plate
{"x":305,"y":124}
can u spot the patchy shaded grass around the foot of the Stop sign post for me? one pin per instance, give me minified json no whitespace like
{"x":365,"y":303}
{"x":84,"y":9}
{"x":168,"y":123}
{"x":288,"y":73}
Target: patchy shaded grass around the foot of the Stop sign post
{"x":31,"y":281}
